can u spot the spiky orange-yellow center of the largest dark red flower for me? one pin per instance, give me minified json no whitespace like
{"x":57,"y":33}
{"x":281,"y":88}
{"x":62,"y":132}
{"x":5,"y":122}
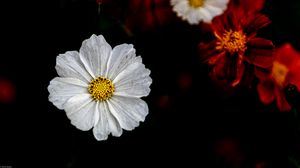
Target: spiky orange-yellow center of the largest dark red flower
{"x":232,"y":41}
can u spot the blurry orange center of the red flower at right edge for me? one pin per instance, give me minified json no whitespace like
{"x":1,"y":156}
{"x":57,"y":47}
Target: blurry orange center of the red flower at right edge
{"x":279,"y":72}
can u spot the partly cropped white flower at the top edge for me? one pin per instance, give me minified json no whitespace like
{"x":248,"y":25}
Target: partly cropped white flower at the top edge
{"x":195,"y":11}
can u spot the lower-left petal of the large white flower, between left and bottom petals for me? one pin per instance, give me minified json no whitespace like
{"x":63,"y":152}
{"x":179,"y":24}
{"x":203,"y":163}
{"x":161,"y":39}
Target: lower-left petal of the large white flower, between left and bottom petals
{"x":81,"y":110}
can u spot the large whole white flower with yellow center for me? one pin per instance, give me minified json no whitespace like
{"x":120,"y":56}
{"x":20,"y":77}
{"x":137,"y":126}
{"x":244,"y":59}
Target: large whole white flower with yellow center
{"x":101,"y":87}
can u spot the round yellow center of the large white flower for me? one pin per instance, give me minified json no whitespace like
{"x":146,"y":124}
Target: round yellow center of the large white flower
{"x":101,"y":88}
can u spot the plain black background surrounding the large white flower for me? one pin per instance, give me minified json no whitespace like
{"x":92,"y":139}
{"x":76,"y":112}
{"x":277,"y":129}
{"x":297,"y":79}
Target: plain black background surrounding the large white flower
{"x":190,"y":121}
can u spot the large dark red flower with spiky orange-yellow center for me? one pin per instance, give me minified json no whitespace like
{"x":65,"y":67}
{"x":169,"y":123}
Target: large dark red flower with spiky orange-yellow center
{"x":236,"y":46}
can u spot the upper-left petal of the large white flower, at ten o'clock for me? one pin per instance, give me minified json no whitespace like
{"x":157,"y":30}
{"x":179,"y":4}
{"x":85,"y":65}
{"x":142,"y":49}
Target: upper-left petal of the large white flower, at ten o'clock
{"x":70,"y":65}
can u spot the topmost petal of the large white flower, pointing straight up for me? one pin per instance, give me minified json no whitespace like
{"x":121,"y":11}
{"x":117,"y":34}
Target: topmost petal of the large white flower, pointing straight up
{"x":94,"y":54}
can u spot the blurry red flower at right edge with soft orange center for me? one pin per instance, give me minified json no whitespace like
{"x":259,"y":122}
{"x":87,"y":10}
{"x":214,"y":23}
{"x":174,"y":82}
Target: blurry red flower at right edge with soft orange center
{"x":285,"y":70}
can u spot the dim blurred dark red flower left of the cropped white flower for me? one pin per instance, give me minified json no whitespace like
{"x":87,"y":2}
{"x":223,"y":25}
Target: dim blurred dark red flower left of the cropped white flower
{"x":146,"y":14}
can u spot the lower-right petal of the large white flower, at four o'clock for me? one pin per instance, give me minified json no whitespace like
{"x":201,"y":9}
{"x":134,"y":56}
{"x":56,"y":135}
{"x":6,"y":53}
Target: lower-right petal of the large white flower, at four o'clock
{"x":128,"y":111}
